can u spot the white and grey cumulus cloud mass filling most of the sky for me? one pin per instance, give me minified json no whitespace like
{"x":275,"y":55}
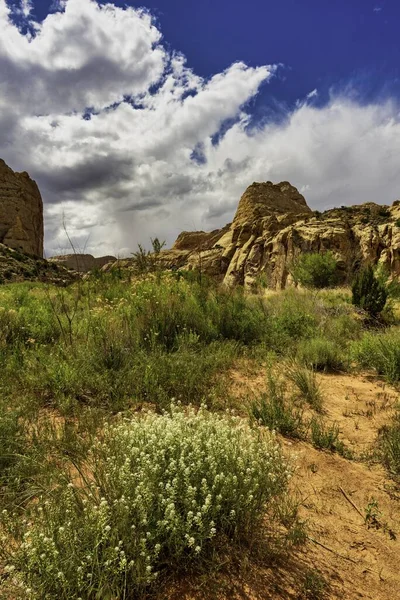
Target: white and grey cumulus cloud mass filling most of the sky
{"x":126,"y":142}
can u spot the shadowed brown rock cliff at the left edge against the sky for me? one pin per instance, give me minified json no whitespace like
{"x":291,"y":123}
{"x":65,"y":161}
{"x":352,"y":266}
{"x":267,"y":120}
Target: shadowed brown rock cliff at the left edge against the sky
{"x":21,"y":212}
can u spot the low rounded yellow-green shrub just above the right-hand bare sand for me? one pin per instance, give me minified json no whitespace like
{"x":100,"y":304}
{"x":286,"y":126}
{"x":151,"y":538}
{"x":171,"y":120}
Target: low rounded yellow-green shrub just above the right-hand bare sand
{"x":321,"y":354}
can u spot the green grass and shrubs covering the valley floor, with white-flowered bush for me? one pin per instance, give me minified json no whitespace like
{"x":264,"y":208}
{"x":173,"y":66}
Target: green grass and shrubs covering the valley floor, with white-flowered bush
{"x":127,"y":458}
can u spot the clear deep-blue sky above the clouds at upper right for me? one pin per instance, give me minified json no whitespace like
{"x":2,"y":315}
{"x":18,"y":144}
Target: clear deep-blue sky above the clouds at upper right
{"x":320,"y":43}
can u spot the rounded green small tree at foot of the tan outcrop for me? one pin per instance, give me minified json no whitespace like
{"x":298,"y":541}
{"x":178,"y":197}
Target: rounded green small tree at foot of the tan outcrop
{"x":314,"y":270}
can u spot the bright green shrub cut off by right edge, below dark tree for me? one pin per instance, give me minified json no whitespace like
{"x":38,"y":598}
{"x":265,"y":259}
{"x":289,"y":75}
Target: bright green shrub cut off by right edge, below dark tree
{"x":381,"y":352}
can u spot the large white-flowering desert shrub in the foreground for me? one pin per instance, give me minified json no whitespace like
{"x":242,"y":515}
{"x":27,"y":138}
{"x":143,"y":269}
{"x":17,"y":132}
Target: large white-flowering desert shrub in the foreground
{"x":163,"y":491}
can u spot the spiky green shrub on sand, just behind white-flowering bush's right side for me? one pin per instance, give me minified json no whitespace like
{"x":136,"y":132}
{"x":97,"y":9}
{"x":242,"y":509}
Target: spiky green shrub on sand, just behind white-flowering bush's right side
{"x":277,"y":411}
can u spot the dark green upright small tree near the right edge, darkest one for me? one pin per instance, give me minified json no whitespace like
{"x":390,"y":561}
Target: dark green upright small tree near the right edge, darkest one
{"x":369,"y":292}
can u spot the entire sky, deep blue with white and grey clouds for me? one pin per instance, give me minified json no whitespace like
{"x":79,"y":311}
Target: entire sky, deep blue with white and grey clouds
{"x":185,"y":104}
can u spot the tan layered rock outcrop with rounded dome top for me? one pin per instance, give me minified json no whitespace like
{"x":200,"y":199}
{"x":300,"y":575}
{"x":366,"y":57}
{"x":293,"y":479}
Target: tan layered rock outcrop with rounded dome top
{"x":273,"y":225}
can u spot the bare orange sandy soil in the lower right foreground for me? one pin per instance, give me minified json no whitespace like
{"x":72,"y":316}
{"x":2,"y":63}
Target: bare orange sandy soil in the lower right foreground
{"x":356,"y":558}
